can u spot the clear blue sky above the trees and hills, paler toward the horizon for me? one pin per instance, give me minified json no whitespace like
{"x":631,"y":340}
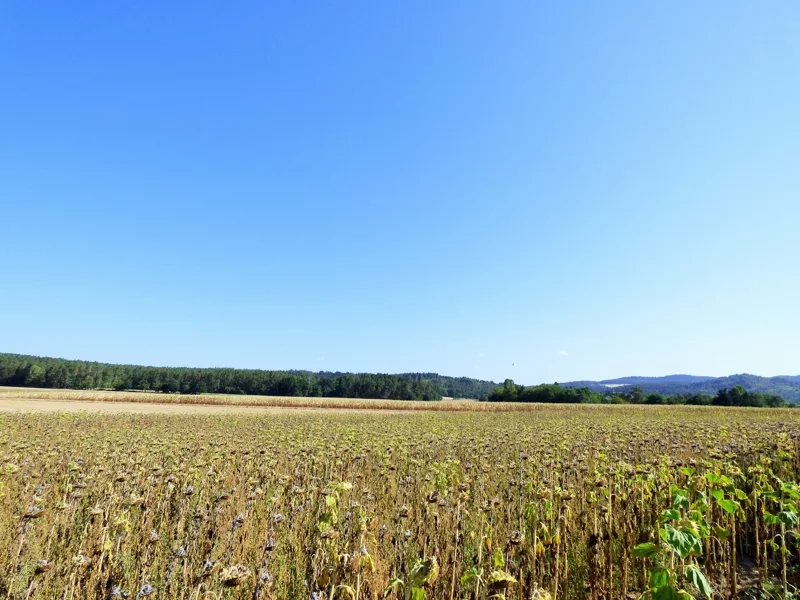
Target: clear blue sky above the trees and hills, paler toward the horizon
{"x":585,"y":190}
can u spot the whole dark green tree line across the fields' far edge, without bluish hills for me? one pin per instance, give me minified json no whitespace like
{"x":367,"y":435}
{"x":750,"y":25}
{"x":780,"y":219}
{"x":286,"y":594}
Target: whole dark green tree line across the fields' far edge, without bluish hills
{"x":33,"y":371}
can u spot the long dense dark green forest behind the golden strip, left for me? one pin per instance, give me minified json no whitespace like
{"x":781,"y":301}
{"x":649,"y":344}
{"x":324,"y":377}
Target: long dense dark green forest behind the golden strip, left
{"x":34,"y":371}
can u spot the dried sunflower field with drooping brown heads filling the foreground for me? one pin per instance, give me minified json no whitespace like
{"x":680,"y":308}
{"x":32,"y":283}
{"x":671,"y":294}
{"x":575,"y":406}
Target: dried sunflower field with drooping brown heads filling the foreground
{"x":557,"y":502}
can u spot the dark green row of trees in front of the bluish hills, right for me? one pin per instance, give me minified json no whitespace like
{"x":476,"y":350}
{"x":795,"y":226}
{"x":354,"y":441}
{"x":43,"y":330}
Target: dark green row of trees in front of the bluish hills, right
{"x":735,"y":396}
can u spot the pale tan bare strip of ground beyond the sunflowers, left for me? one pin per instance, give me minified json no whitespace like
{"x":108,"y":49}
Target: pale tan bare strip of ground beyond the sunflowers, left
{"x":29,"y":405}
